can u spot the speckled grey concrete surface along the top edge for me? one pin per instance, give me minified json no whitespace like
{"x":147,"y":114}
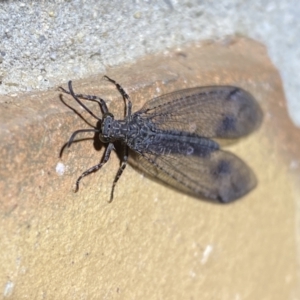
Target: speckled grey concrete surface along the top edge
{"x":46,"y":43}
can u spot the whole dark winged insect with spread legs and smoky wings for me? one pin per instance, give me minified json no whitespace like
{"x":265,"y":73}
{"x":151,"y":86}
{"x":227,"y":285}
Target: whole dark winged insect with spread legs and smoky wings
{"x":171,"y":139}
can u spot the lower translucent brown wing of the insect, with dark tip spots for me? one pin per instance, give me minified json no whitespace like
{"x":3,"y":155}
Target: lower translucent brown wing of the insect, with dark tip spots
{"x":219,"y":176}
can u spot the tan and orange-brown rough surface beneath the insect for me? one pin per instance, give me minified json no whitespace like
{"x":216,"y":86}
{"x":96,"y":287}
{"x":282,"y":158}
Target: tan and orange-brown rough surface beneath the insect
{"x":151,"y":242}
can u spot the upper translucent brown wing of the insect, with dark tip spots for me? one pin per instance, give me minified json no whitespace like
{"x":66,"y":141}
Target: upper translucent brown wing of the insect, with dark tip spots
{"x":213,"y":111}
